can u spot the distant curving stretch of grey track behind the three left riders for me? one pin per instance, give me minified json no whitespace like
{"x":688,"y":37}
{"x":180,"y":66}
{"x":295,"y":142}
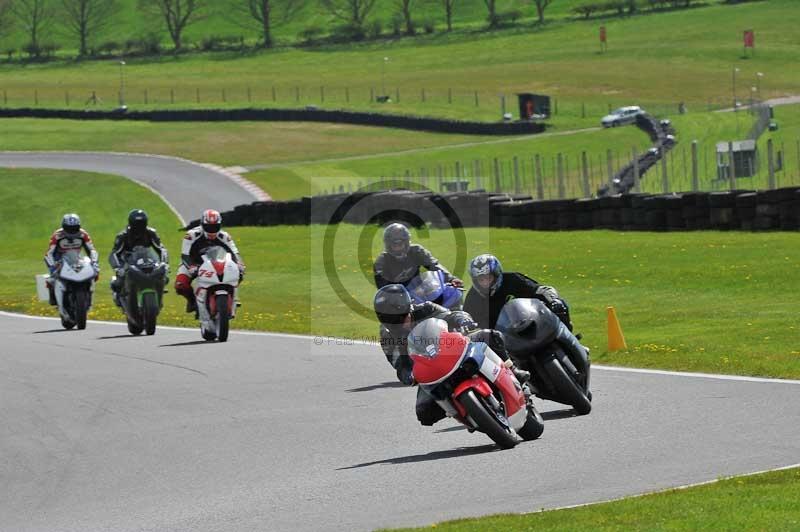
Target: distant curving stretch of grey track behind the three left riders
{"x":189,"y":187}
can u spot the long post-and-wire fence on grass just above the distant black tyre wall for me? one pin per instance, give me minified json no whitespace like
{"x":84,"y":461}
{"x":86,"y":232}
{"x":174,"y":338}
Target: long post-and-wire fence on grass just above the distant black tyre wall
{"x":490,"y":103}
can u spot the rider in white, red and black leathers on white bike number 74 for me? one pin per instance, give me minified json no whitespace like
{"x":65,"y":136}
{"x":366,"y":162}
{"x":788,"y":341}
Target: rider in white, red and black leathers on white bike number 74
{"x":196,"y":241}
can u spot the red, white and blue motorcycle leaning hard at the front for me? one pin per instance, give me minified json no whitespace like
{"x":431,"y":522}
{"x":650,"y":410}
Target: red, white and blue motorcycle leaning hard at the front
{"x":472,"y":384}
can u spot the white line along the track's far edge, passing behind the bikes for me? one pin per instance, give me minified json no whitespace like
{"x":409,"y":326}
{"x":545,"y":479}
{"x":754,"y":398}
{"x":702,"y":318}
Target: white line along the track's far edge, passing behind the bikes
{"x":346,"y":341}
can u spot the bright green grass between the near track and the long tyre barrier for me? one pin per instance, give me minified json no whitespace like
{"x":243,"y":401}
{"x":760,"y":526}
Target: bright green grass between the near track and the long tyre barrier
{"x":705,"y":301}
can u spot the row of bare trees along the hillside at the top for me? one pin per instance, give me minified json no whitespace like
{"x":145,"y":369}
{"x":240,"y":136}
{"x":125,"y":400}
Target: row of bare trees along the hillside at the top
{"x":82,"y":21}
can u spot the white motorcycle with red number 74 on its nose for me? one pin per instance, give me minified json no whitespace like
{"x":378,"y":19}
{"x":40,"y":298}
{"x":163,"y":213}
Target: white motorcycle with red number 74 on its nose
{"x":217,"y":282}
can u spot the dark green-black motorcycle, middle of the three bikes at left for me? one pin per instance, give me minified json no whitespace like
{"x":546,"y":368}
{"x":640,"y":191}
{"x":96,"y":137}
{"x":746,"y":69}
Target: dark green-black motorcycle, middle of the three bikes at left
{"x":142,"y":289}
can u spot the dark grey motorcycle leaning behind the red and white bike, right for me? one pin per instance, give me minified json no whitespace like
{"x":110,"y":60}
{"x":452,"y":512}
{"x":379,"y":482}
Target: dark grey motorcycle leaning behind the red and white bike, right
{"x":540,"y":343}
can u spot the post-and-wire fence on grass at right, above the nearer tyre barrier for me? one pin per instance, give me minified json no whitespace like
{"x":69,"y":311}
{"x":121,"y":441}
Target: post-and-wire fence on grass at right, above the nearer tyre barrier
{"x":685,"y":168}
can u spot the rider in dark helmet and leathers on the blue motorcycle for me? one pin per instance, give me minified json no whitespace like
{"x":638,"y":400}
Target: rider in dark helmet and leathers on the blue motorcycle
{"x":400,"y":261}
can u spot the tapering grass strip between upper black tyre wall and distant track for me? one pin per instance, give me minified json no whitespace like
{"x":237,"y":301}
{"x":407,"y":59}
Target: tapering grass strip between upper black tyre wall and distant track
{"x":223,"y":143}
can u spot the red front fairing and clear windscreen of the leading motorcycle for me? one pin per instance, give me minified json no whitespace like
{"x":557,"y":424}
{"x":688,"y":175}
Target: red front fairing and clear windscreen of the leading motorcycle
{"x":436,"y":352}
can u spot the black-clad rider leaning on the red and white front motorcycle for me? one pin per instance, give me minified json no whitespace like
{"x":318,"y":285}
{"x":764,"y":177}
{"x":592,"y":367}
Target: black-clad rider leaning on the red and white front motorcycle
{"x":398,"y":316}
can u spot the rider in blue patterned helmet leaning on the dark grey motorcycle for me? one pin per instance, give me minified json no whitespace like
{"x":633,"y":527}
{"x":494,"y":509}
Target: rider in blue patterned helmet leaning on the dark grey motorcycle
{"x":492,"y":288}
